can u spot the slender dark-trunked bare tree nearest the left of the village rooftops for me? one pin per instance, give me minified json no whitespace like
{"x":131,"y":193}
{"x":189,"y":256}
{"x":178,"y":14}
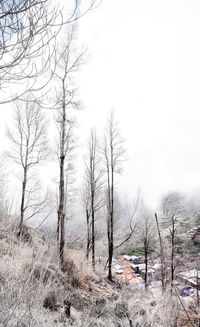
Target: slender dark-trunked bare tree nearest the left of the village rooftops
{"x":113,"y":154}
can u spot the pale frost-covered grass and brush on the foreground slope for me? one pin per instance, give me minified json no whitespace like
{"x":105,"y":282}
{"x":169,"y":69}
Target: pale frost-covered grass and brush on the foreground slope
{"x":30,"y":274}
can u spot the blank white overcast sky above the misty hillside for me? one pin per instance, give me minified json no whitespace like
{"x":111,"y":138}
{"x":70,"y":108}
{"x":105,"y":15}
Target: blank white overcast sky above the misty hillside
{"x":144,"y":62}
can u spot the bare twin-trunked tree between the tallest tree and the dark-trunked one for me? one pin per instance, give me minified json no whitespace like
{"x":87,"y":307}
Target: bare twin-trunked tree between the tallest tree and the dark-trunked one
{"x":94,"y":199}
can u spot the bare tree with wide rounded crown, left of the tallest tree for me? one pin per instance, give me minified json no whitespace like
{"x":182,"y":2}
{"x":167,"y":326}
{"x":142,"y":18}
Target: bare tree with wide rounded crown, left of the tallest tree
{"x":28,"y":137}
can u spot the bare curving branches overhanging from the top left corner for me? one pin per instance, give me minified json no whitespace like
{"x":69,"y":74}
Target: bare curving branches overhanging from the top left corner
{"x":28,"y":33}
